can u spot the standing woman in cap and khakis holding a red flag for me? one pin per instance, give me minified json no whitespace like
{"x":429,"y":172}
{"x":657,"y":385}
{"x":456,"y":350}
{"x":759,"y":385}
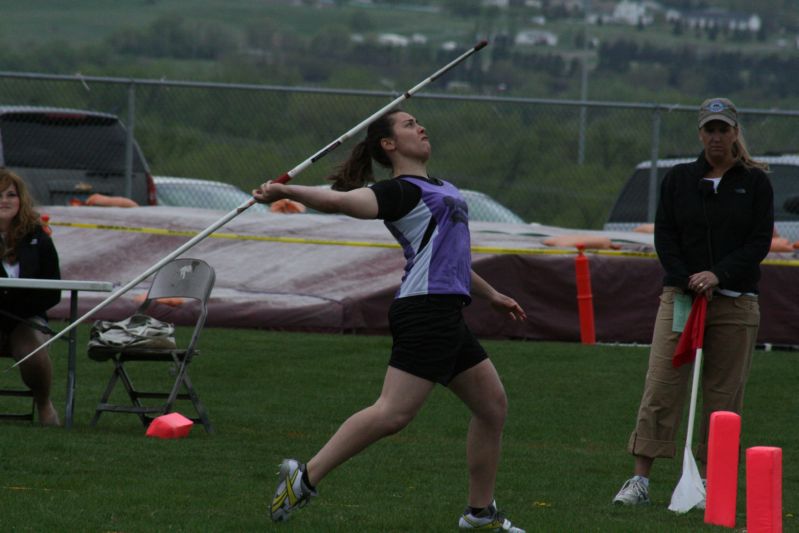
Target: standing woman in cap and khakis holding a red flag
{"x":713,"y":227}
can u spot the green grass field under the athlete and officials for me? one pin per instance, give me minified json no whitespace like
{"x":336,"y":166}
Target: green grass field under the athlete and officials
{"x":272,"y":395}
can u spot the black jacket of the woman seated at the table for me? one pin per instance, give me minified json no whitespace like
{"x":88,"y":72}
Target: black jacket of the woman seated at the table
{"x":37,"y":258}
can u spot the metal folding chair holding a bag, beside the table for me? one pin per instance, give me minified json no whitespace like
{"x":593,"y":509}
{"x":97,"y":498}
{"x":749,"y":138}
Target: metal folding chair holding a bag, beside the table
{"x":181,"y":278}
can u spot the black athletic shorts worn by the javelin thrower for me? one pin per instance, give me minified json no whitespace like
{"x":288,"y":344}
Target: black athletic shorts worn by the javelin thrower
{"x":431,"y":338}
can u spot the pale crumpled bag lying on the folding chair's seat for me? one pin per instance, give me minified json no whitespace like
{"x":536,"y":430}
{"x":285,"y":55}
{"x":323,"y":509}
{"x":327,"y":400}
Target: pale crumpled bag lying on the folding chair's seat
{"x":137,"y":331}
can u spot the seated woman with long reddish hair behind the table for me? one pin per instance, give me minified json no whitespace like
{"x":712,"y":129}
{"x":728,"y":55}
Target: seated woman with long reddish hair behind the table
{"x":26,"y":251}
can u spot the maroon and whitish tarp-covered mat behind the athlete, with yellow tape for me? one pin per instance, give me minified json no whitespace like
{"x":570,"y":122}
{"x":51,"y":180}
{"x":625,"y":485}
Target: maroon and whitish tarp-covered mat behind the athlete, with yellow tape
{"x":332,"y":273}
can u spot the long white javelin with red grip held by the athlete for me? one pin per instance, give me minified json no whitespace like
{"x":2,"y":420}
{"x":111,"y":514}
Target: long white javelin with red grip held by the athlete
{"x":246,"y":205}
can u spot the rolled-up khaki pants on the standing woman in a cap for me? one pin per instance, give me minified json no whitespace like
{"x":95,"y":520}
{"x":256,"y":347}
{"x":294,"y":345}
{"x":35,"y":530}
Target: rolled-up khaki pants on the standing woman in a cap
{"x":730,"y":333}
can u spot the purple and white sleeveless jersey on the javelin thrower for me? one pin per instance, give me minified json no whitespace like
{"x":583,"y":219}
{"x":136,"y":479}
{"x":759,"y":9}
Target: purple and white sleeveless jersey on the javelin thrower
{"x":434,"y":237}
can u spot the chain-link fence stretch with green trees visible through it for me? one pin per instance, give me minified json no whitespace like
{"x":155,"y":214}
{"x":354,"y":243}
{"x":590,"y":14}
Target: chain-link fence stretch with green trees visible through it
{"x":555,"y":162}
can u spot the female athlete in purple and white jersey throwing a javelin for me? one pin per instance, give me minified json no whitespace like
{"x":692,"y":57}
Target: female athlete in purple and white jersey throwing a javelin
{"x":431,"y":341}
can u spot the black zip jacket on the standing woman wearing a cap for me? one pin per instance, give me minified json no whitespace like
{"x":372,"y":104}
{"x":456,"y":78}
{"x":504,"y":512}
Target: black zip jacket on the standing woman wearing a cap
{"x":727,"y":232}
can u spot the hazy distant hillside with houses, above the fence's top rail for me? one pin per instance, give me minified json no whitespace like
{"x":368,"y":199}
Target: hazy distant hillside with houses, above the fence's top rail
{"x":383,"y":44}
